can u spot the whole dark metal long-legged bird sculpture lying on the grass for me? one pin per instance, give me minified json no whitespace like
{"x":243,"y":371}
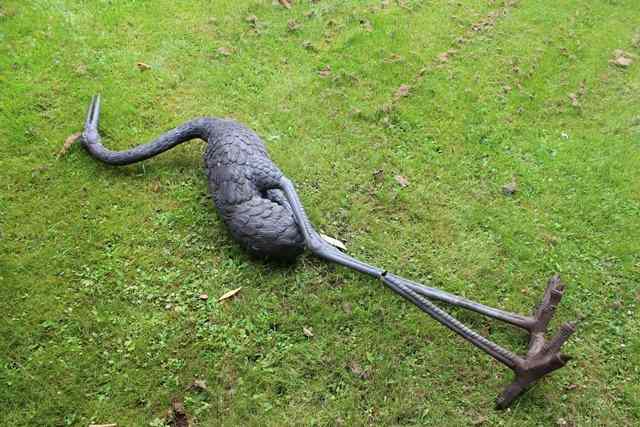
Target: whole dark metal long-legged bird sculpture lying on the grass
{"x":263,"y":212}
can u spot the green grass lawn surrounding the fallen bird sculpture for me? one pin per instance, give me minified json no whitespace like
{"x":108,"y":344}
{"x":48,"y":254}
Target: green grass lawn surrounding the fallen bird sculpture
{"x":101,"y":268}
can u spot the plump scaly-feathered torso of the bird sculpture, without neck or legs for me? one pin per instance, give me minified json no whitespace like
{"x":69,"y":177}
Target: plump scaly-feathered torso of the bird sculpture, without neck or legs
{"x":241,"y":180}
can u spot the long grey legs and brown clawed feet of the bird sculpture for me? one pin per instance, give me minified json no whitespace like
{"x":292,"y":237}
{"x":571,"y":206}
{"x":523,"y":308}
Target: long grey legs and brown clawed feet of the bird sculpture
{"x":543,"y":357}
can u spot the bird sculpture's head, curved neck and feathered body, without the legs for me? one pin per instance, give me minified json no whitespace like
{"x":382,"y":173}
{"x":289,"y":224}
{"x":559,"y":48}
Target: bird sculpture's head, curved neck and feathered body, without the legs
{"x":242,"y":180}
